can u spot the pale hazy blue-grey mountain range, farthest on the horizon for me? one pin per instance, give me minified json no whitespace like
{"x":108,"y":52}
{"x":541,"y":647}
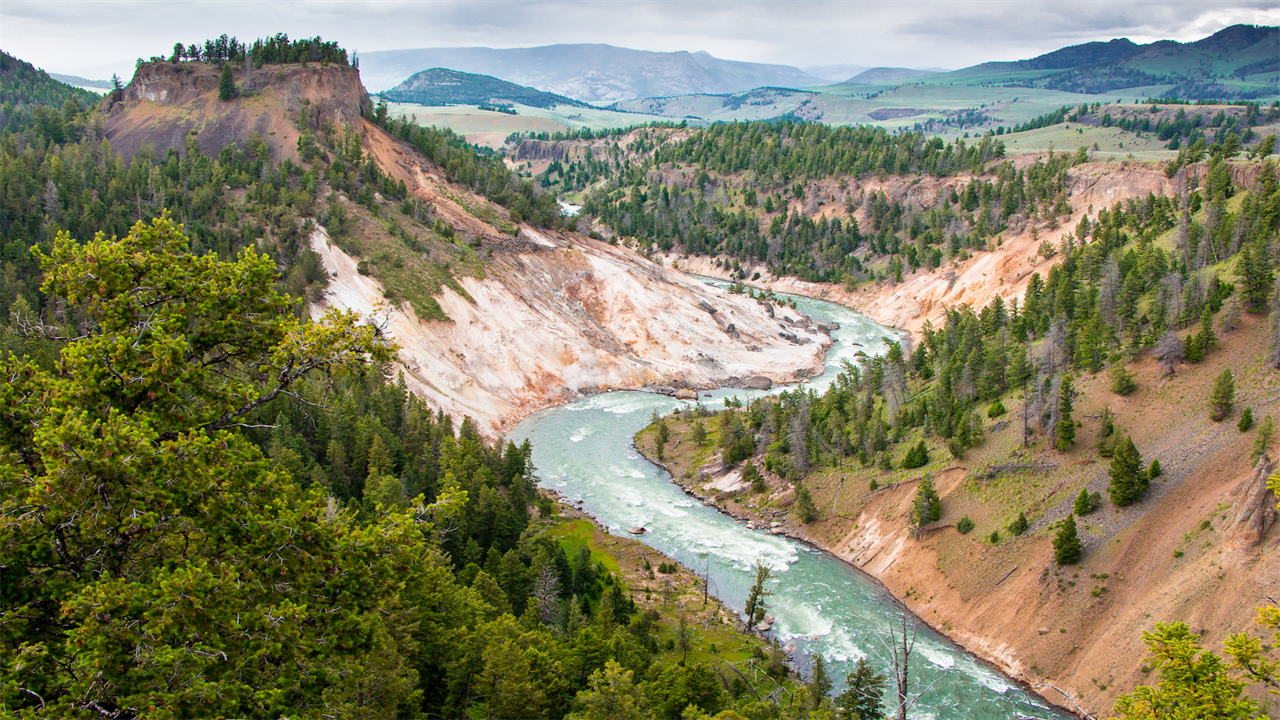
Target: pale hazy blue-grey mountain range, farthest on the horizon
{"x":592,"y":74}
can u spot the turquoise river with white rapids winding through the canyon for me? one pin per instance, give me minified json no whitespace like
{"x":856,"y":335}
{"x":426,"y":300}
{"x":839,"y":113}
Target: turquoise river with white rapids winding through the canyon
{"x":821,"y":604}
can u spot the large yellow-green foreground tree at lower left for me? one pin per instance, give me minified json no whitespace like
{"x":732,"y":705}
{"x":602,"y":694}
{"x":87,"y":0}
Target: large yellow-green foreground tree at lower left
{"x":153,"y":558}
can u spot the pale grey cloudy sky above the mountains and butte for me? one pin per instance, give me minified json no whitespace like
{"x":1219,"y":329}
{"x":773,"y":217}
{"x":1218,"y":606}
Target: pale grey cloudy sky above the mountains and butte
{"x":97,"y":38}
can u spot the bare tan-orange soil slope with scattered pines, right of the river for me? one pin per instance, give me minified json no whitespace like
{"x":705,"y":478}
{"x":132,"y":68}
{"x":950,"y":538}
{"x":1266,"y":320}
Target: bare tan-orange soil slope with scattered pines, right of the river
{"x":1199,"y":548}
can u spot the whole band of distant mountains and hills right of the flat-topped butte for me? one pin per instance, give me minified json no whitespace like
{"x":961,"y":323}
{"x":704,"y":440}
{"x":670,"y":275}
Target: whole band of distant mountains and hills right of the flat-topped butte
{"x":1237,"y":63}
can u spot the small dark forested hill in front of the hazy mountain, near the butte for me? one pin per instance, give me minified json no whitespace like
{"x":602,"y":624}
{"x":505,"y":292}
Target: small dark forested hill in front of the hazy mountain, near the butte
{"x":441,"y":86}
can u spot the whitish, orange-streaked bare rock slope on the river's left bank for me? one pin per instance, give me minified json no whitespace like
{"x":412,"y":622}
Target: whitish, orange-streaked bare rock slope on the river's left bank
{"x":570,"y":318}
